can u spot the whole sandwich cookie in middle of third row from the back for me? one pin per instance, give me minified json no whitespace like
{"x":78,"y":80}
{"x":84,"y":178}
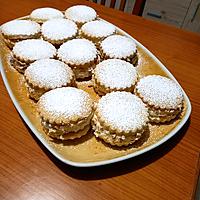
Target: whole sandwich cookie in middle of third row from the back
{"x":80,"y":55}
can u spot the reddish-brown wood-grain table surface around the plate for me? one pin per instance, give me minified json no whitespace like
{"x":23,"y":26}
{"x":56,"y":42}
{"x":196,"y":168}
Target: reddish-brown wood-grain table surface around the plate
{"x":29,"y":171}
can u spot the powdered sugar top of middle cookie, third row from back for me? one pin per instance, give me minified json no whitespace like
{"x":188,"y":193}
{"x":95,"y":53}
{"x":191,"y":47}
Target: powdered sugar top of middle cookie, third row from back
{"x":77,"y":51}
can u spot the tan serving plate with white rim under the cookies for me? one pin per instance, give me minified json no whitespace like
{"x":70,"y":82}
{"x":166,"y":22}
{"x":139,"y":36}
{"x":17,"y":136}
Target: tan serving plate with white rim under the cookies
{"x":89,"y":151}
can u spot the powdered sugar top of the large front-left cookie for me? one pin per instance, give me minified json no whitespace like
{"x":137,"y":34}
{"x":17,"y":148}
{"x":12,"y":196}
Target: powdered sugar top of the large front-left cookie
{"x":66,"y":102}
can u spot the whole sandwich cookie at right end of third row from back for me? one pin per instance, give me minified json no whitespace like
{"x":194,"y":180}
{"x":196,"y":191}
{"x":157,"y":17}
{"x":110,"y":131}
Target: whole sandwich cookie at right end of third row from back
{"x":121,"y":47}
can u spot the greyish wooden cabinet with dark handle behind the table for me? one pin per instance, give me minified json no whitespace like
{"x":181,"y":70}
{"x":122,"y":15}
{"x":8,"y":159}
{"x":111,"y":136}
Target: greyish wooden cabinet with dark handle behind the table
{"x":184,"y":14}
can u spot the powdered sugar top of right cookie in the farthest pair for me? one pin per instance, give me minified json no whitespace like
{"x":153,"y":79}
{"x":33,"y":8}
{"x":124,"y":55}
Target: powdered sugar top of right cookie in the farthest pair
{"x":80,"y":13}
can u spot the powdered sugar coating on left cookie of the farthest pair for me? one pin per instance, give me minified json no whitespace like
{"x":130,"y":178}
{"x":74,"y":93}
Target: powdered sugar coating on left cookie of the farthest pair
{"x":46,"y":14}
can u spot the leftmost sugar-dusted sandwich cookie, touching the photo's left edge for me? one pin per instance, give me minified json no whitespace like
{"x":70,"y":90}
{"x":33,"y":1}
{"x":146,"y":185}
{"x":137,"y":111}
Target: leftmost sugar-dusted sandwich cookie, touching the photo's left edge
{"x":17,"y":30}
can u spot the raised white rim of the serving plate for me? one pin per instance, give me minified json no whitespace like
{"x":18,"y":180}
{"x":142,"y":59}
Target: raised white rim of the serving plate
{"x":113,"y":160}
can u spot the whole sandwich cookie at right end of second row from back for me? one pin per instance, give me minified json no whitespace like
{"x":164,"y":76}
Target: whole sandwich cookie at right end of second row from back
{"x":97,"y":30}
